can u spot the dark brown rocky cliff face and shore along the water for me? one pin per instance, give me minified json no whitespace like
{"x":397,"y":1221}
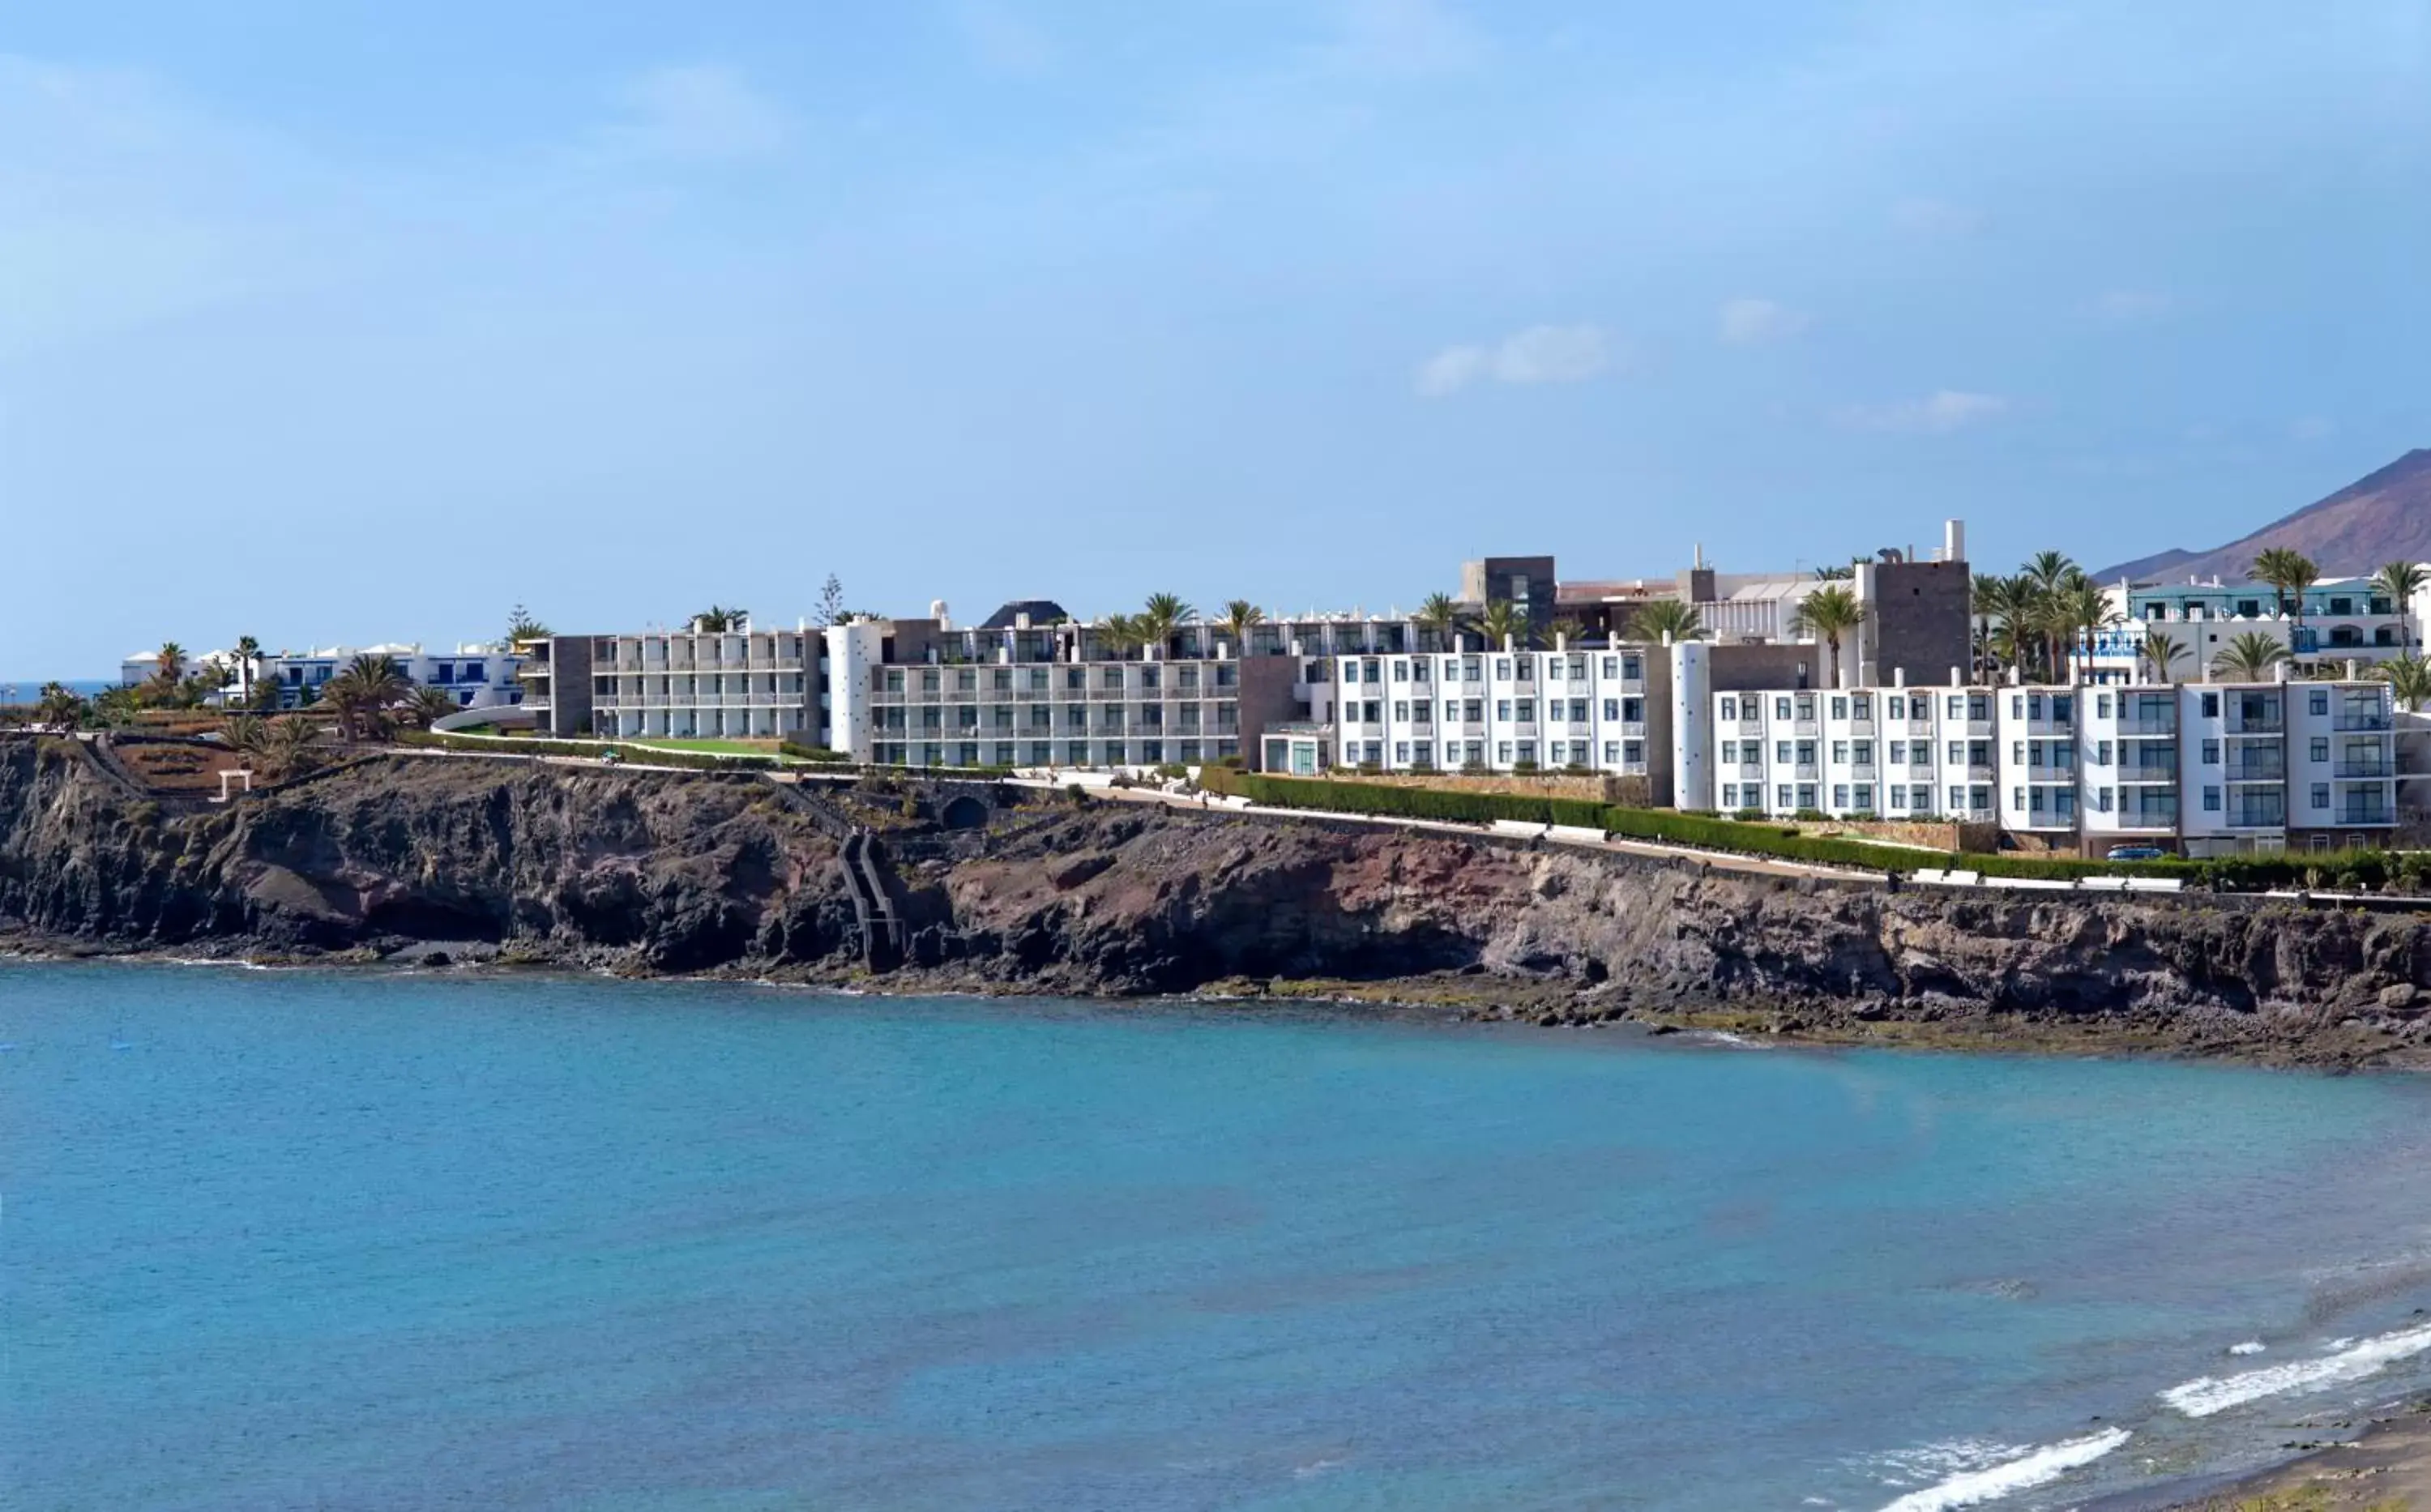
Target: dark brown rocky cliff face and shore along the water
{"x":660,"y":874}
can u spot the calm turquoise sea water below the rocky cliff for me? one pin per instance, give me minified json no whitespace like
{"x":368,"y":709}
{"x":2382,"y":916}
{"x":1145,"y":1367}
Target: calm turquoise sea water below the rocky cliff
{"x":436,"y":1241}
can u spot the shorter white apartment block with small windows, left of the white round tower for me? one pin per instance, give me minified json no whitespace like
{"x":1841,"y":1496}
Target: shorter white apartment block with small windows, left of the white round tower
{"x":1499,"y":711}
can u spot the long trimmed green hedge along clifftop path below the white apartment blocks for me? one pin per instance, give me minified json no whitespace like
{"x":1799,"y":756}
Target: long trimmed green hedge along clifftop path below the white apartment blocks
{"x":1759,"y":837}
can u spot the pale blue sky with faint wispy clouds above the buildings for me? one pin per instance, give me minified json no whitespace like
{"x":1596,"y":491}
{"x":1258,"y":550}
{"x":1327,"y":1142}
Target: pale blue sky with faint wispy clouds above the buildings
{"x":361,"y":322}
